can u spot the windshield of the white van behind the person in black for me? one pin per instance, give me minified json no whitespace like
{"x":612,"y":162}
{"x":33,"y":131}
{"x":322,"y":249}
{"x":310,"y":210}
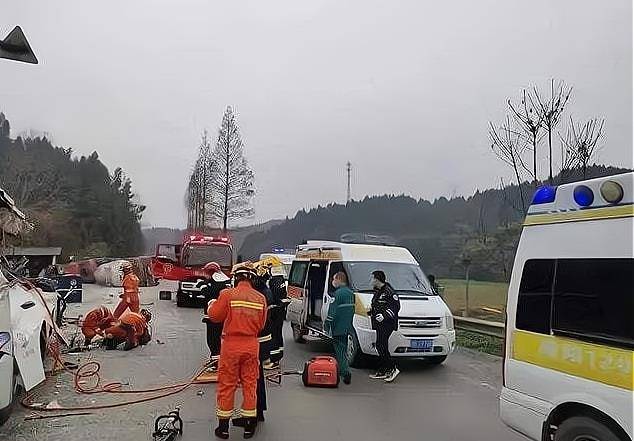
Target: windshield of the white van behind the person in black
{"x":405,"y":278}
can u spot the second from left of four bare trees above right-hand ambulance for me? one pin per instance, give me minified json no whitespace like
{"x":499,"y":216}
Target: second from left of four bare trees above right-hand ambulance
{"x":529,"y":122}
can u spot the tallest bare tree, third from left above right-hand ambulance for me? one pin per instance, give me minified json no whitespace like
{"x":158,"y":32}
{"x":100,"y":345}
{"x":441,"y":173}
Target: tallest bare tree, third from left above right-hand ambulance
{"x":550,"y":111}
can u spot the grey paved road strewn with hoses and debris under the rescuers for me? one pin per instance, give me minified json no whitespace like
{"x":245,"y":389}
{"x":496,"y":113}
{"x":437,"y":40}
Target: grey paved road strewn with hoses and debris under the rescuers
{"x":453,"y":402}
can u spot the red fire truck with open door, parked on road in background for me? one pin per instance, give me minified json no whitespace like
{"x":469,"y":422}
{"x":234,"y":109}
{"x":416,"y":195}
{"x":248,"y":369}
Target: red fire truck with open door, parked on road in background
{"x":184,"y":263}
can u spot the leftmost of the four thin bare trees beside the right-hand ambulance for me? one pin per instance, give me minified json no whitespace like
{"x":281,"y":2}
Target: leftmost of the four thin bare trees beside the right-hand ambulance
{"x":508,"y":146}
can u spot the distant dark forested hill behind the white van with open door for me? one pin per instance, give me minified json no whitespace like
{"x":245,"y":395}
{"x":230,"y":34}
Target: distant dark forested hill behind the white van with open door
{"x":484,"y":227}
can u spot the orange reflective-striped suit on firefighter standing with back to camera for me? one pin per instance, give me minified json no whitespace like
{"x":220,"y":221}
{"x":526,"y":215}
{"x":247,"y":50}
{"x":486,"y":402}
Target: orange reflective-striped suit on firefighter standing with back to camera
{"x":243,"y":311}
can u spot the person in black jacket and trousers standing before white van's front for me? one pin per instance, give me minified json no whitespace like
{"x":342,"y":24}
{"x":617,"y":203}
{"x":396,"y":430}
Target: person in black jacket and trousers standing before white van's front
{"x":384,"y":315}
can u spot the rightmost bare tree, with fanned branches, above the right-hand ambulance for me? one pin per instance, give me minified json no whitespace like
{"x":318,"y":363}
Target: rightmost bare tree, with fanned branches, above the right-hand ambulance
{"x":582,"y":140}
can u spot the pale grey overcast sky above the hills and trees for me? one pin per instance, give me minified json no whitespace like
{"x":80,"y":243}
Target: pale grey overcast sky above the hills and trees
{"x":403,"y":90}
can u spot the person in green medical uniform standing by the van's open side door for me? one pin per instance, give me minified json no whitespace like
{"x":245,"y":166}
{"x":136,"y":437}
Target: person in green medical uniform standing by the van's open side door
{"x":339,"y":322}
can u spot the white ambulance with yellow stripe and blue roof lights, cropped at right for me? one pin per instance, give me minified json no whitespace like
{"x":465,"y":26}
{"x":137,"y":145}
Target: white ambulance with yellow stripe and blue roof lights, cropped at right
{"x":570,"y":316}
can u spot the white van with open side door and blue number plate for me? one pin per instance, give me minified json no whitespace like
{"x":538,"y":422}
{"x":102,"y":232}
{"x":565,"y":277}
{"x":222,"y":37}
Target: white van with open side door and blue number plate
{"x":426,"y":327}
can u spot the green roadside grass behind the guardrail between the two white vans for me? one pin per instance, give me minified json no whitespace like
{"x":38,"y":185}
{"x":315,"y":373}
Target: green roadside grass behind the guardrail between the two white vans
{"x":487,"y":300}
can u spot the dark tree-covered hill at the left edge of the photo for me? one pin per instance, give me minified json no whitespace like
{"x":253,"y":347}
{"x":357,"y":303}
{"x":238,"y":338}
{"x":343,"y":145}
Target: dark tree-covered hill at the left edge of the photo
{"x":75,"y":203}
